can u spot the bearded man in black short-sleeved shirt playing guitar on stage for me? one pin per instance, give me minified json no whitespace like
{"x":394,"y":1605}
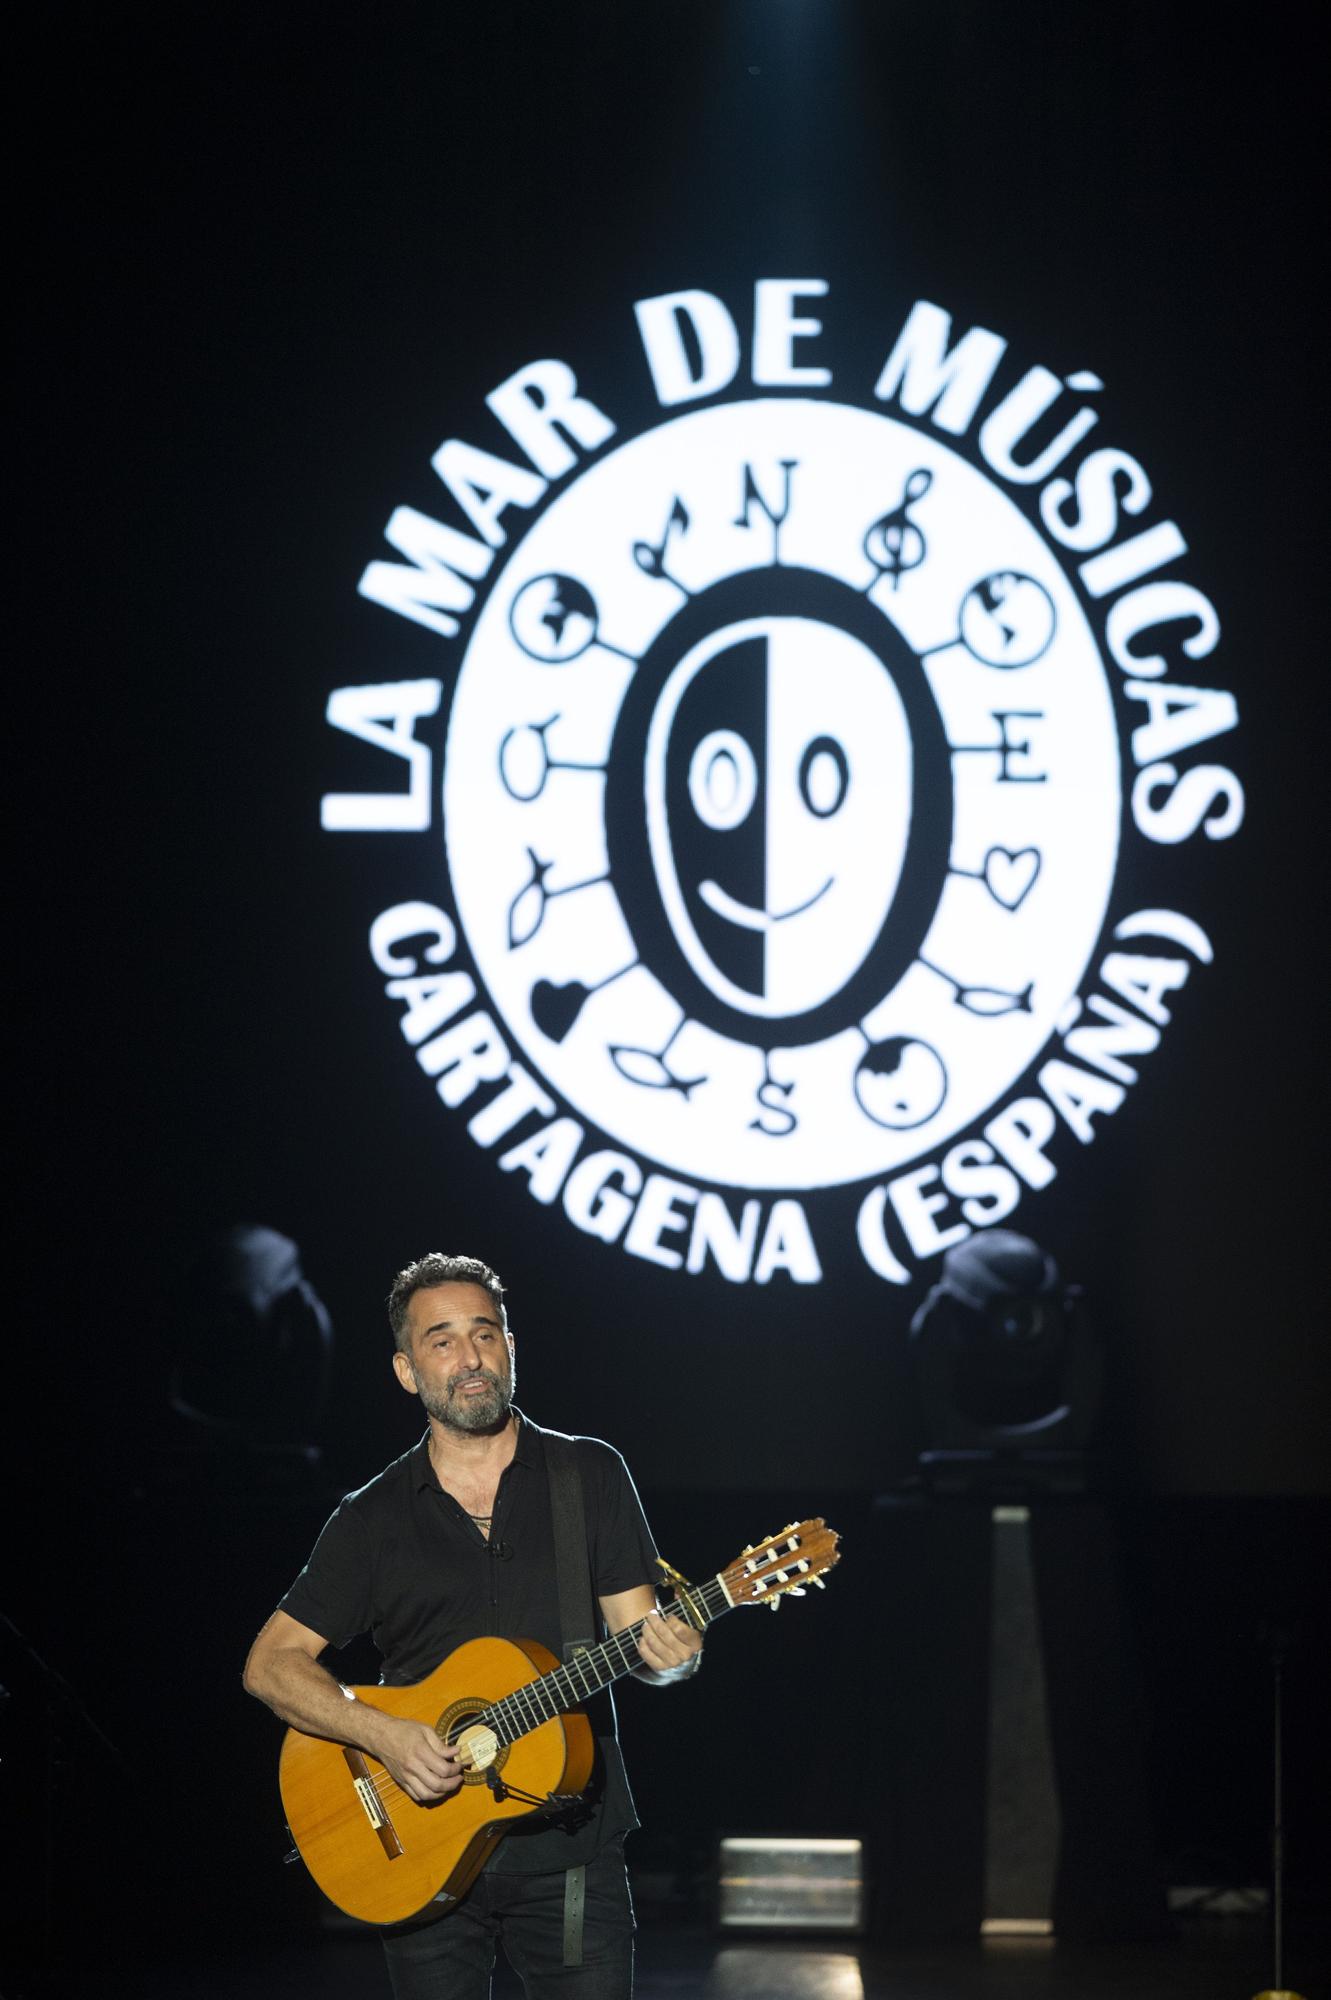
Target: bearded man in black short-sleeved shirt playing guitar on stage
{"x":469,"y":1537}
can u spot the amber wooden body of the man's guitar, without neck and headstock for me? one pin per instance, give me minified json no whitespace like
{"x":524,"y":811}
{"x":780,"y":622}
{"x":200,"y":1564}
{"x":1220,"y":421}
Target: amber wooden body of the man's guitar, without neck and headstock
{"x":391,"y":1871}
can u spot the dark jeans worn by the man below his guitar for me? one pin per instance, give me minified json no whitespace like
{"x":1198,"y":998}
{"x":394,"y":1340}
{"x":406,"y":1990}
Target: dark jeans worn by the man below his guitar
{"x":453,"y":1959}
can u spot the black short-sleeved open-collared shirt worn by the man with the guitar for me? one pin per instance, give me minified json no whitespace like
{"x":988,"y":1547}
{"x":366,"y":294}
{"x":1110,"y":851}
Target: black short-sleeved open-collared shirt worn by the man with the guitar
{"x":403,"y":1561}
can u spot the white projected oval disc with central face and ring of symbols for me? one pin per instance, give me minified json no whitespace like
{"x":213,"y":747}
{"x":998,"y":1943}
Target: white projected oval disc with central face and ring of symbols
{"x":782,"y":793}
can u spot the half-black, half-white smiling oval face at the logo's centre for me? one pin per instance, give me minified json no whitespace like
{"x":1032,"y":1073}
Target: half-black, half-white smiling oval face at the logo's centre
{"x":778,"y":817}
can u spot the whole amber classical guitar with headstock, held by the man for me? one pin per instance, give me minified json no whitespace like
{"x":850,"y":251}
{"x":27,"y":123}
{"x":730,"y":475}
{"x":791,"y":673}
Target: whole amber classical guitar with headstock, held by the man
{"x":515,"y":1713}
